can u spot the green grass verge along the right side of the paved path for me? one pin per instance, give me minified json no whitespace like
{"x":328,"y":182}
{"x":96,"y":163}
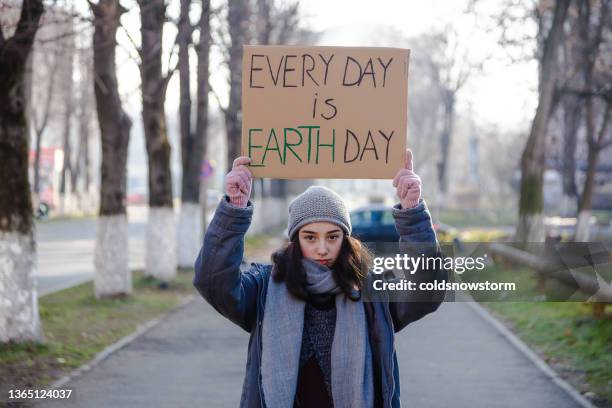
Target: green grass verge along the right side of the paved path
{"x":557,"y":324}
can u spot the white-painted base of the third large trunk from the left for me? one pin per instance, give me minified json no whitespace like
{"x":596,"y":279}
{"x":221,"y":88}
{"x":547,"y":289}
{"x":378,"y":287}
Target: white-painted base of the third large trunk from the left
{"x":160,"y":259}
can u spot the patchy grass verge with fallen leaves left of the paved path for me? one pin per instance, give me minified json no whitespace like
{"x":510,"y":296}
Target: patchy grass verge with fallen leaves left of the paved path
{"x":77,"y":326}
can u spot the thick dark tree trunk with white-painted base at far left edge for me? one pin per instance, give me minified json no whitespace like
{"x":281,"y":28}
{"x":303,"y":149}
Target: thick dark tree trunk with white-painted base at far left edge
{"x":19,"y":318}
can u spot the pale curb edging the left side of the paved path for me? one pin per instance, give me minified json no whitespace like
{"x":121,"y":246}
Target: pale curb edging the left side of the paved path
{"x":118,"y":345}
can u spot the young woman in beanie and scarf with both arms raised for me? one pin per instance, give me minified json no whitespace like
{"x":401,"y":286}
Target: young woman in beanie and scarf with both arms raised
{"x":314,"y":341}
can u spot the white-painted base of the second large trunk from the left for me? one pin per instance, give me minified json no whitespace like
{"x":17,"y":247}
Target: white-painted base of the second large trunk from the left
{"x":111,"y":258}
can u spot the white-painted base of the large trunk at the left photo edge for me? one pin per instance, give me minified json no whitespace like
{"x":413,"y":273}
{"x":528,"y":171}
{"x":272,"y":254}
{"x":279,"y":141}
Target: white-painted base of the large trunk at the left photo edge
{"x":19,"y":319}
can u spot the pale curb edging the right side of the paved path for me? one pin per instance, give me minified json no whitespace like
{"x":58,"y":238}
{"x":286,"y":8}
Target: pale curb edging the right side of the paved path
{"x":531,"y":355}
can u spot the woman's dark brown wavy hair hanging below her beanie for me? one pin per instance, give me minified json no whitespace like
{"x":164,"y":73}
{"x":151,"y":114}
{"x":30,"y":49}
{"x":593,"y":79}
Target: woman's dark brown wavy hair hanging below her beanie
{"x":349,"y":270}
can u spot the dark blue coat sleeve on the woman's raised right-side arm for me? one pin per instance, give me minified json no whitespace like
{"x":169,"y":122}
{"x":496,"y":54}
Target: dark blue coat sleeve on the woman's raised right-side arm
{"x":418,"y":238}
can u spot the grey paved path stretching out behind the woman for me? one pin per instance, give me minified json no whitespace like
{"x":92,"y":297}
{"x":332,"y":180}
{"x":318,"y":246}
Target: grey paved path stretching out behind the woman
{"x":452,"y":358}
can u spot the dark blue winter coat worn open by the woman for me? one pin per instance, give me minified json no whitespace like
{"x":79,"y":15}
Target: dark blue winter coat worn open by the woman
{"x":240,"y":295}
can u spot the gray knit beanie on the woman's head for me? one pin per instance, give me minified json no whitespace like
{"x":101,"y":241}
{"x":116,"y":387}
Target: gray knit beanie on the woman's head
{"x":316,"y":204}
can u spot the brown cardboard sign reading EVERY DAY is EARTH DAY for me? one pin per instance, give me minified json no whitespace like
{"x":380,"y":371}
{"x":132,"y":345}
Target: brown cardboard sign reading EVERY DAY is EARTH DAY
{"x":324,"y":112}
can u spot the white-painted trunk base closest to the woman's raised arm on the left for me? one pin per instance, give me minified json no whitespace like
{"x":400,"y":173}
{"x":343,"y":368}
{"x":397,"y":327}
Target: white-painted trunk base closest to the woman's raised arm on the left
{"x":189,"y":234}
